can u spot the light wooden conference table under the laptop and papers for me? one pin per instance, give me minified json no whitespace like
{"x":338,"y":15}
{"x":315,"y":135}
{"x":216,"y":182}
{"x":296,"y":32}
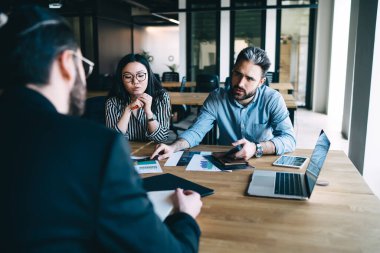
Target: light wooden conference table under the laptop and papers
{"x":341,"y":217}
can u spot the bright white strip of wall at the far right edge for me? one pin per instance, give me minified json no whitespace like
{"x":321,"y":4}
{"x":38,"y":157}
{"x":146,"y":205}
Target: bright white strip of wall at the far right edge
{"x":371,"y":171}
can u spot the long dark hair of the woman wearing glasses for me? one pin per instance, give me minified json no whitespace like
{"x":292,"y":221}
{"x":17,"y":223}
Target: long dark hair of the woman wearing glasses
{"x":154,"y":87}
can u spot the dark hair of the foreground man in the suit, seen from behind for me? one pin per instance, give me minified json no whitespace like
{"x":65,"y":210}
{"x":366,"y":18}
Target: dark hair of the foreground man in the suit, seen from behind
{"x":30,"y":42}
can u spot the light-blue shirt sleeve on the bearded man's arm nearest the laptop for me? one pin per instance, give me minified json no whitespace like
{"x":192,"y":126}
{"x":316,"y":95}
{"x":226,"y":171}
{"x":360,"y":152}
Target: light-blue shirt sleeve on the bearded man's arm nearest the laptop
{"x":283,"y":132}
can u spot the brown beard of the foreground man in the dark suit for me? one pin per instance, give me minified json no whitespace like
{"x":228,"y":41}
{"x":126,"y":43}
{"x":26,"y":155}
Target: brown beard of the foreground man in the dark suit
{"x":77,"y":96}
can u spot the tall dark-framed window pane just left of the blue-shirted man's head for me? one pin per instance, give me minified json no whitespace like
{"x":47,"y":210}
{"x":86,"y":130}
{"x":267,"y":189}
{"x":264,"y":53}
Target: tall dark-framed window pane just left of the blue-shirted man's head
{"x":204,"y":38}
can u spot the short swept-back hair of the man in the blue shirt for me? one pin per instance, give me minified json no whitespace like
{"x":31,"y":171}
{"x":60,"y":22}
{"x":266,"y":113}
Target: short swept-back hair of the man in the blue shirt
{"x":257,"y":56}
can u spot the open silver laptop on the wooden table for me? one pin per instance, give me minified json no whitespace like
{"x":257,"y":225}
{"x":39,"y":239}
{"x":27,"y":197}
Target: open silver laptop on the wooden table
{"x":277,"y":184}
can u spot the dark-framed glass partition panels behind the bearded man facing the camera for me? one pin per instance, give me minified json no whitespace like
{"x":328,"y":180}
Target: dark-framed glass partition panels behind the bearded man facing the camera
{"x":293,"y":38}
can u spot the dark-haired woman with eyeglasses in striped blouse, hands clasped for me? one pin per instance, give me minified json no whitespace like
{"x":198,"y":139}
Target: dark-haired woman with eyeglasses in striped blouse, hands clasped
{"x":137,"y":105}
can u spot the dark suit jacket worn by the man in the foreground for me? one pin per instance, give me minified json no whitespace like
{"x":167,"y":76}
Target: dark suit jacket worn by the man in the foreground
{"x":68,"y":185}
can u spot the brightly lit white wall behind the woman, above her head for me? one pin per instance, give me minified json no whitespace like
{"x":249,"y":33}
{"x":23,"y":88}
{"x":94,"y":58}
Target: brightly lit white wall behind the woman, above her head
{"x":160,"y":42}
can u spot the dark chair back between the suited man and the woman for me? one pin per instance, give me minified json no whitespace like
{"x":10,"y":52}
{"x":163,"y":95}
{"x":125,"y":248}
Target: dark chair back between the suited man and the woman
{"x":95,"y":109}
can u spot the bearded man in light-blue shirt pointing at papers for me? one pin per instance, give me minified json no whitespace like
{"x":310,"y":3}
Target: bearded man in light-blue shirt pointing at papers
{"x":249,"y":113}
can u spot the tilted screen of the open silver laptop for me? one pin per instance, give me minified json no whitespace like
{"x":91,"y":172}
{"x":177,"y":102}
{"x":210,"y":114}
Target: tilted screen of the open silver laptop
{"x":316,"y":161}
